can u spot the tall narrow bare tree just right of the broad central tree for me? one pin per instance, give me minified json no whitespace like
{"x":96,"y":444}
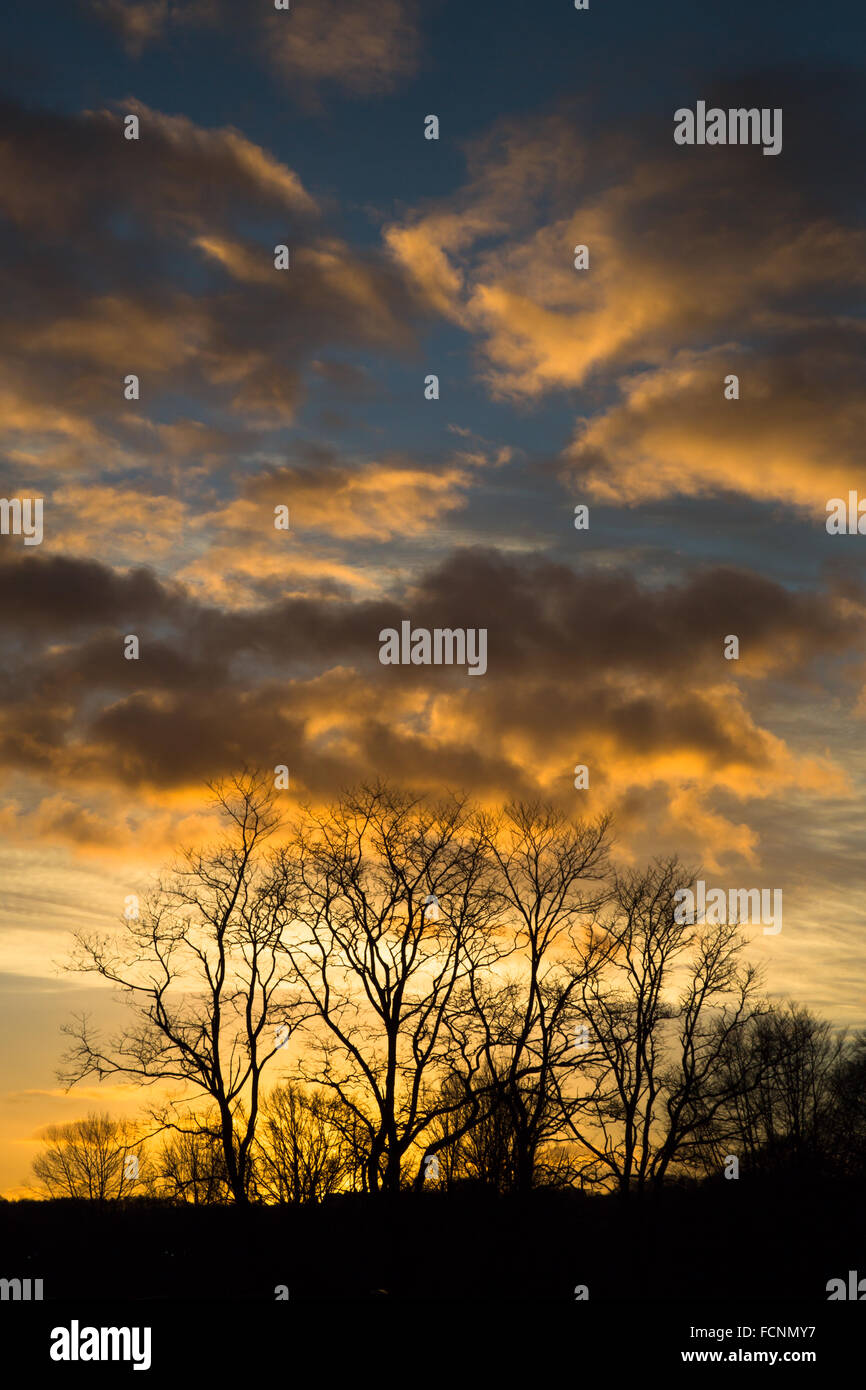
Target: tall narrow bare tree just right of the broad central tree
{"x":523,"y":1021}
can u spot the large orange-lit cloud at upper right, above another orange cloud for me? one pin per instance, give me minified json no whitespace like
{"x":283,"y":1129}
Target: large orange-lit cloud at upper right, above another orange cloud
{"x":498,"y":256}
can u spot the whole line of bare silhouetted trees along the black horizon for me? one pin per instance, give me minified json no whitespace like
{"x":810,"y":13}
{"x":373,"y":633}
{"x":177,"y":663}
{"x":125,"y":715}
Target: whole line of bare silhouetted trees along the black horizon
{"x":397,"y":993}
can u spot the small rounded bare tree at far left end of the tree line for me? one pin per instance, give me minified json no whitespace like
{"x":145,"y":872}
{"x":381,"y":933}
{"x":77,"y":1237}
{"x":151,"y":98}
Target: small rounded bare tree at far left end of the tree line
{"x":98,"y":1159}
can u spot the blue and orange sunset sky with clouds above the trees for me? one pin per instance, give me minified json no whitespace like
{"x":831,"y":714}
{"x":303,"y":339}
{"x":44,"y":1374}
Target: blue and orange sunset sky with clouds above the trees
{"x":307,"y":389}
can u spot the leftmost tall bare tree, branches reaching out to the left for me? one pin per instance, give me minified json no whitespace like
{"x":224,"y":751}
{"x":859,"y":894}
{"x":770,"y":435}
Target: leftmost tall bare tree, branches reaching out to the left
{"x":206,"y":979}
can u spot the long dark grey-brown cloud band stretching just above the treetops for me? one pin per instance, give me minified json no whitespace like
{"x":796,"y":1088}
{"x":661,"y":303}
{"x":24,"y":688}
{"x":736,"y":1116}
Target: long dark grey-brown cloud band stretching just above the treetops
{"x":571,"y":657}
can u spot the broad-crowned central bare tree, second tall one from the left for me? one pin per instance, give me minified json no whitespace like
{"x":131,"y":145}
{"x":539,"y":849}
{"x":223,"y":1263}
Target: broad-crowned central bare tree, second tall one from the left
{"x":389,"y":897}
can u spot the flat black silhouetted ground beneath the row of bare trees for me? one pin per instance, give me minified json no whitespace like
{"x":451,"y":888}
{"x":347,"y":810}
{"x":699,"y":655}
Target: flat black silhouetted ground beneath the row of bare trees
{"x":728,"y":1241}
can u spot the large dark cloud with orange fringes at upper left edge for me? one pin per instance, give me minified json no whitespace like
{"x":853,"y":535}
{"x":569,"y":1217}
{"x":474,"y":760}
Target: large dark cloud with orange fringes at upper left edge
{"x":138,"y":256}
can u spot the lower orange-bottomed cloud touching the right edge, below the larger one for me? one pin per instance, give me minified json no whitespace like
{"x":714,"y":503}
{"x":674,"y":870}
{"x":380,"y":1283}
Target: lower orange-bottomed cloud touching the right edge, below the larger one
{"x":796,"y":433}
